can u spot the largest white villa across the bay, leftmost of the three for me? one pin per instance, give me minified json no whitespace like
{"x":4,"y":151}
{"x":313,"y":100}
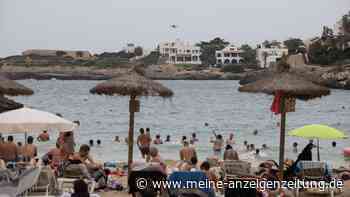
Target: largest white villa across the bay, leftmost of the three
{"x":179,"y":52}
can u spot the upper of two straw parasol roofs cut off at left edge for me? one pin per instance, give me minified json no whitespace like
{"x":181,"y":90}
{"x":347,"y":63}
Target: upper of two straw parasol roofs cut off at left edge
{"x":12,"y":88}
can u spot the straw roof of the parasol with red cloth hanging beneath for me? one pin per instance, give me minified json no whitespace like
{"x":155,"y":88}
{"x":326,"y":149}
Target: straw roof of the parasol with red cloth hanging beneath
{"x":290,"y":84}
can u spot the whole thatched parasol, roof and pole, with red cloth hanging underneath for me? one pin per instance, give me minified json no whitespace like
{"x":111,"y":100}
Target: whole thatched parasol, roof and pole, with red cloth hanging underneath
{"x":290,"y":85}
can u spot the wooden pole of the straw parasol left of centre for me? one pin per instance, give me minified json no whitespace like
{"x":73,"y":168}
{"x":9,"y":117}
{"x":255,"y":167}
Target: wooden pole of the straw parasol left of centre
{"x":131,"y":131}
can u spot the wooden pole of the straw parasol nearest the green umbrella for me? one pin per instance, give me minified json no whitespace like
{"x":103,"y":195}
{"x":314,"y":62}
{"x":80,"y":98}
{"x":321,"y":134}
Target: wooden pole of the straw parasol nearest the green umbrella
{"x":282,"y":134}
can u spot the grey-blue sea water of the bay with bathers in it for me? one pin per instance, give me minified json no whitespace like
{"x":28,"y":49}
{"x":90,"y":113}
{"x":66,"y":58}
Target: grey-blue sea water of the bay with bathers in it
{"x":195,"y":102}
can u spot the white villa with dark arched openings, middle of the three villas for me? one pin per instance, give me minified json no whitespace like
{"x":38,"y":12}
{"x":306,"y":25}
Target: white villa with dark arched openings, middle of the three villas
{"x":229,"y":55}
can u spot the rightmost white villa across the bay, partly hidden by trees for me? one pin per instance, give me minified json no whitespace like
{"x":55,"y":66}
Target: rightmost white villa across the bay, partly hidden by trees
{"x":267,"y":56}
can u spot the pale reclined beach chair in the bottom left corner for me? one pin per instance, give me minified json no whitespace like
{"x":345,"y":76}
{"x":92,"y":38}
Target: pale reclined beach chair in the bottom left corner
{"x":22,"y":185}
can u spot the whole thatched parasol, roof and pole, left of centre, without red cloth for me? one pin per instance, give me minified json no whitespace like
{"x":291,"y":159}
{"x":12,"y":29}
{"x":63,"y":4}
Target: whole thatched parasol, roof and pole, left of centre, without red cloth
{"x":132,"y":85}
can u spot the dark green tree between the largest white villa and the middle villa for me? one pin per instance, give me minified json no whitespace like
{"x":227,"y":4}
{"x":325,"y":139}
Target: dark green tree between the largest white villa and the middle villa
{"x":208,"y":49}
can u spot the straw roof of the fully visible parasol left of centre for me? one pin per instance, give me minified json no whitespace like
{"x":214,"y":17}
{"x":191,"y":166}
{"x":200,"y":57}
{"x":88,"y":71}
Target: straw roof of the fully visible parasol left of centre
{"x":132,"y":84}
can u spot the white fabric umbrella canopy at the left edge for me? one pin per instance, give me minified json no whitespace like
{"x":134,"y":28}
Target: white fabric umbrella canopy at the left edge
{"x":25,"y":120}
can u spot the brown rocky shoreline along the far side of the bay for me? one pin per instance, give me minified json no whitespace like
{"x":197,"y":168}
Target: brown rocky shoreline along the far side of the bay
{"x":337,"y":77}
